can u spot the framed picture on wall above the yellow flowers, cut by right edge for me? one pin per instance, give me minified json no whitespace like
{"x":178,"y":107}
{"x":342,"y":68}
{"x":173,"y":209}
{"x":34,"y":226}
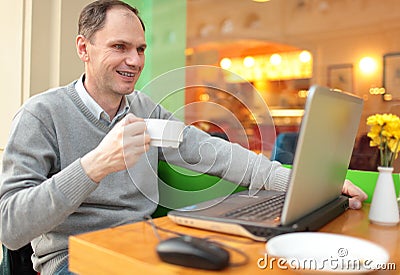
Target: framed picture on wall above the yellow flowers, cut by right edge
{"x":391,"y":76}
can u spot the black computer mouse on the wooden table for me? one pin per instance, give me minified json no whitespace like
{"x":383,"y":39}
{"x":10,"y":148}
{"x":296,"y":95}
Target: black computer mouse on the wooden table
{"x":193,"y":252}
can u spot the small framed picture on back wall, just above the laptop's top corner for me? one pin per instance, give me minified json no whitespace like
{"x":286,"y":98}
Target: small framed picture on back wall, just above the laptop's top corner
{"x":340,"y":76}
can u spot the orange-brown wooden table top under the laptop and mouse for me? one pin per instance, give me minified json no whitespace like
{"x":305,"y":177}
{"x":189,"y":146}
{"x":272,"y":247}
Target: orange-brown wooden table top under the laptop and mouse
{"x":130,"y":249}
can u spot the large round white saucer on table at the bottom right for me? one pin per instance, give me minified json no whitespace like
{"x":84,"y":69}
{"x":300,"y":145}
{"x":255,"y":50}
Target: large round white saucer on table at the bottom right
{"x":315,"y":252}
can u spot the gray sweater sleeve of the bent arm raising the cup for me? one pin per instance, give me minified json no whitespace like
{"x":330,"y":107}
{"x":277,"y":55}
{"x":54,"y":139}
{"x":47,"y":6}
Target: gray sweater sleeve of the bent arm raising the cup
{"x":35,"y":194}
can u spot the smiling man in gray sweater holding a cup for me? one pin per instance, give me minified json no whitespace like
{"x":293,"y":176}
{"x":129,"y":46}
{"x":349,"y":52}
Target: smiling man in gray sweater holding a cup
{"x":78,"y":157}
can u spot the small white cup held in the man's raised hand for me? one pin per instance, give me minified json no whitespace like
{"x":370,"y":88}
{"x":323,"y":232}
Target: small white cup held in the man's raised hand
{"x":165,"y":133}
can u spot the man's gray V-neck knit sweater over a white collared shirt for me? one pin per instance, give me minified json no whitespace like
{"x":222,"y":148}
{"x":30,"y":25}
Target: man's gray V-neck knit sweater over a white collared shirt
{"x":45,"y":196}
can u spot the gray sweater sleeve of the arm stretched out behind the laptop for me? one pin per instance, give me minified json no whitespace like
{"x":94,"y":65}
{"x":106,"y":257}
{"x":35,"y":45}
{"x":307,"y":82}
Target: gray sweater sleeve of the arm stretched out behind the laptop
{"x":212,"y":155}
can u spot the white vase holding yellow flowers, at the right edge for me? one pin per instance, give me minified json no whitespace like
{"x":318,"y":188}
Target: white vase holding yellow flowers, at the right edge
{"x":384,"y":209}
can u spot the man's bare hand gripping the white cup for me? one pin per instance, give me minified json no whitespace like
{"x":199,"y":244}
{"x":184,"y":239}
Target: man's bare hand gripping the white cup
{"x":120,"y":149}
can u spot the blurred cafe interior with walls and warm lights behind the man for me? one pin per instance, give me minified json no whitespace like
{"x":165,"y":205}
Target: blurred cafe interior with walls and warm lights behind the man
{"x":248,"y":57}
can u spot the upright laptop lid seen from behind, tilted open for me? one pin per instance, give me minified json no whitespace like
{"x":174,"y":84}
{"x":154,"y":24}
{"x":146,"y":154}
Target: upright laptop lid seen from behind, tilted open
{"x":323,"y":152}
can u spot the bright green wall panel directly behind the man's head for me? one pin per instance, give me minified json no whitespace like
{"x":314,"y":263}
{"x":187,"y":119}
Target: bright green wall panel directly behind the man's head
{"x":165,"y":22}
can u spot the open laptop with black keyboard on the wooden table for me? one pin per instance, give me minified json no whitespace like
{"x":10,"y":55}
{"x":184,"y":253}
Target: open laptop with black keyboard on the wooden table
{"x":313,"y":198}
